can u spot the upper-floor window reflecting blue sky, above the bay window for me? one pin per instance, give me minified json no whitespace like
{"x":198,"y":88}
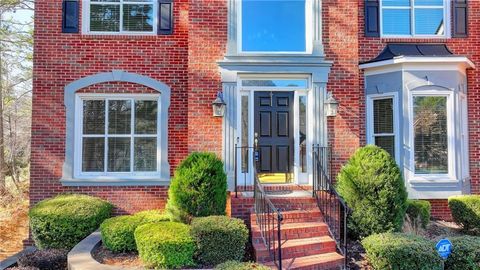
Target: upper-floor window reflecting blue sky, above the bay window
{"x":424,"y":18}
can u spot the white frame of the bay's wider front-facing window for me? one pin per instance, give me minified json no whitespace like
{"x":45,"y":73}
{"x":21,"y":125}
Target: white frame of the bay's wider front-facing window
{"x":451,"y":175}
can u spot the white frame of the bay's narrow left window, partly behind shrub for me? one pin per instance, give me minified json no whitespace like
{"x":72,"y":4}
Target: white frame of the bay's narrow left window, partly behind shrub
{"x":396,"y":126}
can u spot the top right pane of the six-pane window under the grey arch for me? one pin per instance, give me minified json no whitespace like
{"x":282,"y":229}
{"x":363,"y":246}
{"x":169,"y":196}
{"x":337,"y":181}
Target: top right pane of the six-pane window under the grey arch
{"x":146,"y":116}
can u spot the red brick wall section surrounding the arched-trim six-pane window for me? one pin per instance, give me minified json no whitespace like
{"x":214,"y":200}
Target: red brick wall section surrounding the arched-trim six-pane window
{"x":62,"y":58}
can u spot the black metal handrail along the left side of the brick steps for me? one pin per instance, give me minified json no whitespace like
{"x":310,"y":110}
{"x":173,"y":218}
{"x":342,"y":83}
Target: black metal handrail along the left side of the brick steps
{"x":269,"y":220}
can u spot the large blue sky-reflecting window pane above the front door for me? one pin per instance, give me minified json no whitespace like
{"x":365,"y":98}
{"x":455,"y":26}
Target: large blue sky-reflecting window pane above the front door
{"x":273,"y":25}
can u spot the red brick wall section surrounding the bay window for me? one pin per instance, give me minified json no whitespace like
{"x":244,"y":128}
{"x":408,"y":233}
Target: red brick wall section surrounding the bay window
{"x":369,"y":47}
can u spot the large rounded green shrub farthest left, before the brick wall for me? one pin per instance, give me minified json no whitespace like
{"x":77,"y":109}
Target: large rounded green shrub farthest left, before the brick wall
{"x":63,"y":221}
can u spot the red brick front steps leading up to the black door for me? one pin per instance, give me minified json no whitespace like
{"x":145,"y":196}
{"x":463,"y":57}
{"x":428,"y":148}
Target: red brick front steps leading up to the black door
{"x":306,"y":241}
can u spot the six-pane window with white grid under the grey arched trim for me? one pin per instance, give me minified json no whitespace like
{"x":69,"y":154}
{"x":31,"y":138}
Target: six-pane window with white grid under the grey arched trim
{"x":117,"y":137}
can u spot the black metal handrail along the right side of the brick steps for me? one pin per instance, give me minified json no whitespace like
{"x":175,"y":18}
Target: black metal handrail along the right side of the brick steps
{"x":334,"y":209}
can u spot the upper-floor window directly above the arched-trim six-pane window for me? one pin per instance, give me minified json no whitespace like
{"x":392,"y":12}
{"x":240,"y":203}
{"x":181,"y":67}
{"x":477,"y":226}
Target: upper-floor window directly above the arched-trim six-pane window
{"x":121,"y":16}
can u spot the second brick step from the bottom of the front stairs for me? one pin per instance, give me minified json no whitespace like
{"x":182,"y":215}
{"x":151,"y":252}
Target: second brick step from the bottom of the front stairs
{"x":292,"y":248}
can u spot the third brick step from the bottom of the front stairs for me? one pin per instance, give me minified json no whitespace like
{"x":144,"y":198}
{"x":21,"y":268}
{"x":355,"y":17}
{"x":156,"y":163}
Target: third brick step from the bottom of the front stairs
{"x":294,"y":230}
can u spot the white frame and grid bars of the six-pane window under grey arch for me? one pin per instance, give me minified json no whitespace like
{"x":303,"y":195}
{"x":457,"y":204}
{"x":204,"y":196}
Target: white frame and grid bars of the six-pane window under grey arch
{"x":105,"y":175}
